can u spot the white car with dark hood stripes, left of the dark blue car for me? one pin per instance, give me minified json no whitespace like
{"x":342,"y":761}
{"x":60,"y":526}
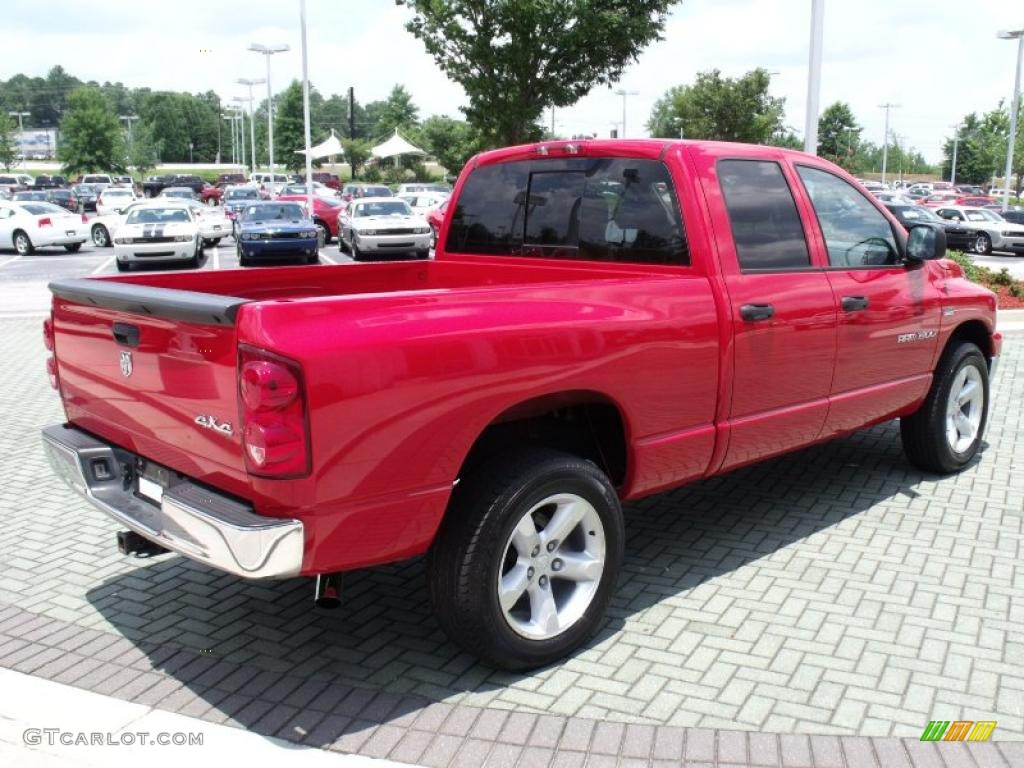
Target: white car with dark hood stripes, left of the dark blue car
{"x":158,"y":232}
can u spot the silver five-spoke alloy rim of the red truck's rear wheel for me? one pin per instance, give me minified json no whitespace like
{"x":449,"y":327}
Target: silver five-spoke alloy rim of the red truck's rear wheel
{"x":551,"y":567}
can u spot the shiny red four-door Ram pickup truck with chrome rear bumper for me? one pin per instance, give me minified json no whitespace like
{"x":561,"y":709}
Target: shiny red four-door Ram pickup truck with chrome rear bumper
{"x":604,"y":321}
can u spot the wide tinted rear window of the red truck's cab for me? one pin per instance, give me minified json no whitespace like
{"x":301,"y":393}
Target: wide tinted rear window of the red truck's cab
{"x":594,"y":209}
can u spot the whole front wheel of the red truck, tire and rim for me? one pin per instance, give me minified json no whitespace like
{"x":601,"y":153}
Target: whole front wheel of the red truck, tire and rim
{"x":946,"y":433}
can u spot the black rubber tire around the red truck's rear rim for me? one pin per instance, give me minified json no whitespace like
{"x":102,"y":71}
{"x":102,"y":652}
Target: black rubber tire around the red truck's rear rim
{"x":465,"y":563}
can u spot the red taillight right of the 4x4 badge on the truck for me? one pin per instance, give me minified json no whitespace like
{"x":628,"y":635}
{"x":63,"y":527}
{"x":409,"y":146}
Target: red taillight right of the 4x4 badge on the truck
{"x":275,"y":419}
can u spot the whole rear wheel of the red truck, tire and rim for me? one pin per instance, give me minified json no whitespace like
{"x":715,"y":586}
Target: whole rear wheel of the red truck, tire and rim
{"x":527,"y":559}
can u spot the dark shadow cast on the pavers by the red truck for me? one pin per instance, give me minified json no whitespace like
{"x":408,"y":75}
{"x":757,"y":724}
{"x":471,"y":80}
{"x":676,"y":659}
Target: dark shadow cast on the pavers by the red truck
{"x":262,"y":656}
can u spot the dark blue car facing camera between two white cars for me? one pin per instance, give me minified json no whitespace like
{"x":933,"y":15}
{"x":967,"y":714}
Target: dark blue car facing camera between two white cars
{"x":270,"y":230}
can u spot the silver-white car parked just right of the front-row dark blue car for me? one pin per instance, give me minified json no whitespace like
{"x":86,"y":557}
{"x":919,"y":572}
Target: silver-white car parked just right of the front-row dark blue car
{"x":379,"y":227}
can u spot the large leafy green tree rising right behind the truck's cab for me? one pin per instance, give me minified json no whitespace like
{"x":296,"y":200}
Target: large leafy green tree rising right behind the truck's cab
{"x":516,"y":59}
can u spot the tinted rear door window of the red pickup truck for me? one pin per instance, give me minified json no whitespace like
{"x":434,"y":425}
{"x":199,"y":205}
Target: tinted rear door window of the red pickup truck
{"x":765,"y":225}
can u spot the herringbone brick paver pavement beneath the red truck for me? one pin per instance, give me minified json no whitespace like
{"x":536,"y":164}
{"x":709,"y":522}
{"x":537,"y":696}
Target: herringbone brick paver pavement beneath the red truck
{"x":826,"y":596}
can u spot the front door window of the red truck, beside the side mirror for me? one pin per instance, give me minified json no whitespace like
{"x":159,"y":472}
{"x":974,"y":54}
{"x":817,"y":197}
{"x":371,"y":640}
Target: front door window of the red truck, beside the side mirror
{"x":857,"y":234}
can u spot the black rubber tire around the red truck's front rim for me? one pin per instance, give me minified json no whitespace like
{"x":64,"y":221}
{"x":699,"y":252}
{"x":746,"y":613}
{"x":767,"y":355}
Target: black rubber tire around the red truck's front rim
{"x":924,"y":433}
